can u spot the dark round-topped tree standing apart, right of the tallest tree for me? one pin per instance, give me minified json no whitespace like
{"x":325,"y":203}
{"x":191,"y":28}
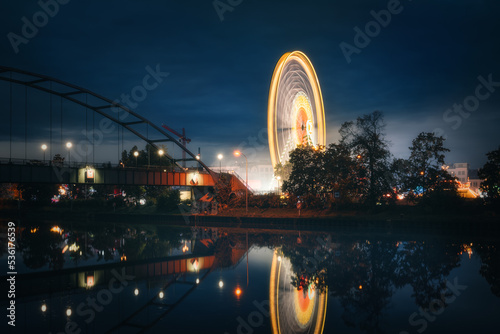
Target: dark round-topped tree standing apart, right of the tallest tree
{"x":426,"y":162}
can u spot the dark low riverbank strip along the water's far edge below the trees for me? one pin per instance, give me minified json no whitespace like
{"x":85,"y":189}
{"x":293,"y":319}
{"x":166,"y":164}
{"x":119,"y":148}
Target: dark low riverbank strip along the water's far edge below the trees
{"x":398,"y":215}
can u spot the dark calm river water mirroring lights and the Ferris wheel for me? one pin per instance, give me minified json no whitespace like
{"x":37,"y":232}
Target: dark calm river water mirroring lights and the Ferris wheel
{"x":100,"y":278}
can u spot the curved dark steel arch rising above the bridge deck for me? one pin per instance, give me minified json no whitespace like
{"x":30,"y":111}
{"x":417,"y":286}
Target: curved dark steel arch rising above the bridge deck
{"x":101,"y":106}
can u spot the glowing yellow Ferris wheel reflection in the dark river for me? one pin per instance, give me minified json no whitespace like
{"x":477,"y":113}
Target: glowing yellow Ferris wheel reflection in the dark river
{"x":292,"y":310}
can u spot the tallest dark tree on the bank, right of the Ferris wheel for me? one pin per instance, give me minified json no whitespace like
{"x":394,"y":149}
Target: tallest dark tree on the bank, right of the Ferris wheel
{"x":366,"y":139}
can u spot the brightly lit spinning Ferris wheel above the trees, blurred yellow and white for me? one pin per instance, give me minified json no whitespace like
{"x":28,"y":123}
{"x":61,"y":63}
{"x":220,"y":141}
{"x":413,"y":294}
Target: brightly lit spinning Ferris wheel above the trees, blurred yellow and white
{"x":296,"y":114}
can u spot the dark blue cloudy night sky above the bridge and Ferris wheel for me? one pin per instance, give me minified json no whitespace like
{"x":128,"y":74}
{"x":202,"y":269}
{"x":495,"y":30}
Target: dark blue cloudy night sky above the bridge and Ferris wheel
{"x":425,"y":60}
